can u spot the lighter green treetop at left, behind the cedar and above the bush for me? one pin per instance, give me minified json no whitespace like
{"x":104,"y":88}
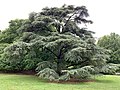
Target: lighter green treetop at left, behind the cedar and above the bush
{"x":10,"y":34}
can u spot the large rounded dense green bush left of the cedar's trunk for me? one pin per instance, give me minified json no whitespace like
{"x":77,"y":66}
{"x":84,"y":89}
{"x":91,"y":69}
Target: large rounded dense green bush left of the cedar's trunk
{"x":17,"y":57}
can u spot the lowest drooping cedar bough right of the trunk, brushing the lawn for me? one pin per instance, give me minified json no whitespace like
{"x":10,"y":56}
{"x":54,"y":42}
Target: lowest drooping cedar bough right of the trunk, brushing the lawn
{"x":79,"y":73}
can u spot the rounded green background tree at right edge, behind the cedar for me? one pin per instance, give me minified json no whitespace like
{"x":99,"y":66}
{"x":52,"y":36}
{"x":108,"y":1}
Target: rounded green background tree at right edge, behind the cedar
{"x":111,"y":42}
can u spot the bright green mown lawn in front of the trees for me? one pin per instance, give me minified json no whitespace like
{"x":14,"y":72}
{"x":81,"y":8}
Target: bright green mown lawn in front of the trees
{"x":28,"y":82}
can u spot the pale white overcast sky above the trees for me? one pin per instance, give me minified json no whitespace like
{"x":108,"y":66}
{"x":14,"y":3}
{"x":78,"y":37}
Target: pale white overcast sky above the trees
{"x":104,"y":13}
